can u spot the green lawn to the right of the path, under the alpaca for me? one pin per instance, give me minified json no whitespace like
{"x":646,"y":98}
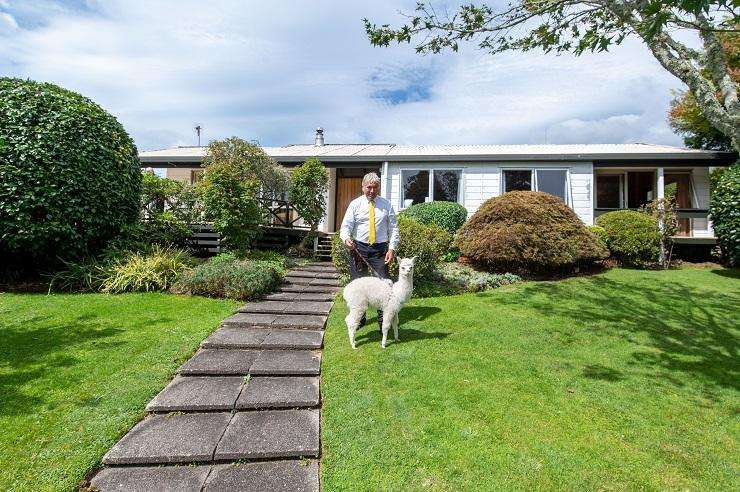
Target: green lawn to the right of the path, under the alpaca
{"x":620,"y":381}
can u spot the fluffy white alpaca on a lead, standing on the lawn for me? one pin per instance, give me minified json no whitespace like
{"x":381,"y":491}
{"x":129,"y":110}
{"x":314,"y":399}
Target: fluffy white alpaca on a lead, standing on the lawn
{"x":380,"y":294}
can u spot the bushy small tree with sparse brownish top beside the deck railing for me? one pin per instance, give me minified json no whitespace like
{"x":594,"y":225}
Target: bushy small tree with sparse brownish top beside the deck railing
{"x":237,"y":174}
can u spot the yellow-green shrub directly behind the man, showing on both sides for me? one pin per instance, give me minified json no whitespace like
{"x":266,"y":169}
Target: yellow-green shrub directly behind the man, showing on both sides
{"x":427,"y":242}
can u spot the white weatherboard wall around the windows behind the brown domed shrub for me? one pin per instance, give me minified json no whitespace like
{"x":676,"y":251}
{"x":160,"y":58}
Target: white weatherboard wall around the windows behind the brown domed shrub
{"x":481,"y":181}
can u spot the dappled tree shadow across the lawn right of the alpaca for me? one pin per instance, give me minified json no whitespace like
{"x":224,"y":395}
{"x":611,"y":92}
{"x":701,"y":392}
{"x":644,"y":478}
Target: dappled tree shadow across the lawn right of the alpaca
{"x":696,"y":332}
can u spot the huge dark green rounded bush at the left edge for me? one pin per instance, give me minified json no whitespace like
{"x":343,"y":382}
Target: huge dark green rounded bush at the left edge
{"x":70,"y":176}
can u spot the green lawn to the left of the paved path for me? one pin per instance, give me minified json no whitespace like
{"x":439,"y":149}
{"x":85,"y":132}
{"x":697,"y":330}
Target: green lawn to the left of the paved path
{"x":76,"y":372}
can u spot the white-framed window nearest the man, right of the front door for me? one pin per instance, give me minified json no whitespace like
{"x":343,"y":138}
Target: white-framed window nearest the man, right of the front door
{"x":422,"y":186}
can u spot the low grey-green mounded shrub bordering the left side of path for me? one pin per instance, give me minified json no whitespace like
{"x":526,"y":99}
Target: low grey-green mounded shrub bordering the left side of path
{"x":230,"y":277}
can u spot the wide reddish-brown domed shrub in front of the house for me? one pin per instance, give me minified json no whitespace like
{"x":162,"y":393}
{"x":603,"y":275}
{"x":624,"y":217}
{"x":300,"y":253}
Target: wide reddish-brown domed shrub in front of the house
{"x":527,"y":232}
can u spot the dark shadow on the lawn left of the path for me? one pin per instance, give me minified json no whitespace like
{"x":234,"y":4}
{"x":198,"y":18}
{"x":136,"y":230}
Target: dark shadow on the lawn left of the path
{"x":30,"y":352}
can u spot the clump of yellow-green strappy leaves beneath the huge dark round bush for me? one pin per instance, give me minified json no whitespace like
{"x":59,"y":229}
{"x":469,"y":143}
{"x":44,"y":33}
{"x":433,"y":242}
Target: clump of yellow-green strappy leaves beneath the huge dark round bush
{"x":143,"y":272}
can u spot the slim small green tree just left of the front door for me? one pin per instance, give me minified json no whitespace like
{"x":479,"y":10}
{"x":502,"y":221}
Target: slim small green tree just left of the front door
{"x":308,"y":185}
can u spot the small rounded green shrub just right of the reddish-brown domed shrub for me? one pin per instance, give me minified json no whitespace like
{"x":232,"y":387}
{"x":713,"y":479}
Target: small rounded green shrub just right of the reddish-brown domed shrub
{"x":632,"y":237}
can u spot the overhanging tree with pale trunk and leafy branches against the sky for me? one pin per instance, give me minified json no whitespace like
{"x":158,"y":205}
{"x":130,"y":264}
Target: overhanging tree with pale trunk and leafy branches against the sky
{"x":594,"y":25}
